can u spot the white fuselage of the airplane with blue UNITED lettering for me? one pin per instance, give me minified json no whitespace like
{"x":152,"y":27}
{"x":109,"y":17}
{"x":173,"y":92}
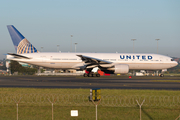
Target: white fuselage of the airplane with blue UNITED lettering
{"x":136,"y":61}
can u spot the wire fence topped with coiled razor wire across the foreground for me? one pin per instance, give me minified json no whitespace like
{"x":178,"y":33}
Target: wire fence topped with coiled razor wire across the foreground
{"x":58,"y":106}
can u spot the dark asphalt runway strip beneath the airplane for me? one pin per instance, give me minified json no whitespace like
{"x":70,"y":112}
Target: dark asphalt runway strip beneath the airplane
{"x":92,"y":82}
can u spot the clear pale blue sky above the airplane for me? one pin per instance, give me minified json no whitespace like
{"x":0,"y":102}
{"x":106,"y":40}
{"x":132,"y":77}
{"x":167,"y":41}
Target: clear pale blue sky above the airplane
{"x":96,"y":25}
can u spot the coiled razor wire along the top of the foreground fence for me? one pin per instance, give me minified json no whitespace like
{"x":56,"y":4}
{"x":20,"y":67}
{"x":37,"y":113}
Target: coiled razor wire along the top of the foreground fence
{"x":83,"y":100}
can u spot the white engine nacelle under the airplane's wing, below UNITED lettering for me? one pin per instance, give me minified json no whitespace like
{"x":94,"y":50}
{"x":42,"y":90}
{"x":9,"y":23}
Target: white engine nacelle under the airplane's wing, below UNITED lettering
{"x":121,"y":69}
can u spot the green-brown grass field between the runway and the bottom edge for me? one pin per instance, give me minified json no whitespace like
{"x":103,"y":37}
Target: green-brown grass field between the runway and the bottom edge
{"x":33,"y":107}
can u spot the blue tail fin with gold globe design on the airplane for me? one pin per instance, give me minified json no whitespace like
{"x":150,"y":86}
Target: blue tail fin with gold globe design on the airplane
{"x":21,"y":44}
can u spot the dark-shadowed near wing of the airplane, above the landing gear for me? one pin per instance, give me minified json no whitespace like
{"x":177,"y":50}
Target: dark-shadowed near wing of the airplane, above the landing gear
{"x":93,"y":61}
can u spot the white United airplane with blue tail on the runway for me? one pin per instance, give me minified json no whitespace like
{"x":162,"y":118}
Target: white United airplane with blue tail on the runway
{"x":115,"y":63}
